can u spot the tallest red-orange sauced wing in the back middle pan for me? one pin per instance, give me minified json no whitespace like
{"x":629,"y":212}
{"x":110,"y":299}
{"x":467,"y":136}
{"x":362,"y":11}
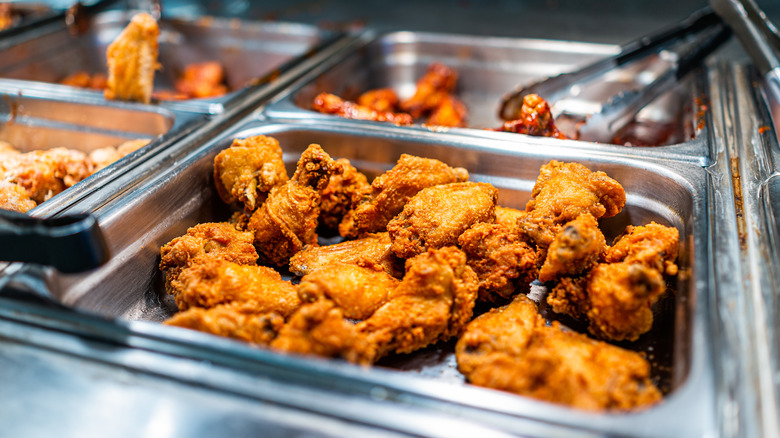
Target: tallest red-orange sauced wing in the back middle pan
{"x":433,"y":87}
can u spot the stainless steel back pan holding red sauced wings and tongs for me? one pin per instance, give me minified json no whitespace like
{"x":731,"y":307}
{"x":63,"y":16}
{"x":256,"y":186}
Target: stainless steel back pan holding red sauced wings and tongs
{"x":489,"y":68}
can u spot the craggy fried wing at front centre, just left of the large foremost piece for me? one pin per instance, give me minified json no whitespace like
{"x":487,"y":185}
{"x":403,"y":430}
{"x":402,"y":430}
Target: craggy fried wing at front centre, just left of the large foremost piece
{"x":434,"y":302}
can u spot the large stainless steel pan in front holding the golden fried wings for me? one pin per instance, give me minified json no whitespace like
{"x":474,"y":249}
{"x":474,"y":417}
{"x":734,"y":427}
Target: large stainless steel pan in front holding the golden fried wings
{"x":137,"y":223}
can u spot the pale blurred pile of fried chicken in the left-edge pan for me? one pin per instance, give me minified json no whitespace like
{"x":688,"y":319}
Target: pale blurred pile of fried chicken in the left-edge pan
{"x":29,"y":178}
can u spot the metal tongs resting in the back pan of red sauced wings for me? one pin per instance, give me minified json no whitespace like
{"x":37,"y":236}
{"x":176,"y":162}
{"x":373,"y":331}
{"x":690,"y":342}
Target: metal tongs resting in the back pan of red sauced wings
{"x":710,"y":33}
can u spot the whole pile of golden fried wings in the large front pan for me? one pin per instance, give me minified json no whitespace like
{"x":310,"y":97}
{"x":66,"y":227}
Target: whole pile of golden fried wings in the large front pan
{"x":422,"y":245}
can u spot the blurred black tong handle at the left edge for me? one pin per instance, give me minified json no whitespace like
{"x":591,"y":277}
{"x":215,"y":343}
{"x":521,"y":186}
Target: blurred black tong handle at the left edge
{"x":71,"y":243}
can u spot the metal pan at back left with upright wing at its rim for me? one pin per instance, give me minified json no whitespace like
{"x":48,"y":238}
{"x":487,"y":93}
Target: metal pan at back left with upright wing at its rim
{"x":248,"y":51}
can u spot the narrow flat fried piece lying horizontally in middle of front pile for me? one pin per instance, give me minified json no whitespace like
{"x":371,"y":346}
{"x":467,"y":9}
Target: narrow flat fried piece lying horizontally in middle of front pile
{"x":372,"y":250}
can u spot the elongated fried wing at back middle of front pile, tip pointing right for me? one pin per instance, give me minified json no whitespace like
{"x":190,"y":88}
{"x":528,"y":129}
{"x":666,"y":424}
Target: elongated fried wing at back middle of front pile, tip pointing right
{"x":390,"y":191}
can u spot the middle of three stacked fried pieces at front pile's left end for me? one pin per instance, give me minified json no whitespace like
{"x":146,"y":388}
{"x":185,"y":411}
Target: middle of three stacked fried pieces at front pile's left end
{"x":211,"y":282}
